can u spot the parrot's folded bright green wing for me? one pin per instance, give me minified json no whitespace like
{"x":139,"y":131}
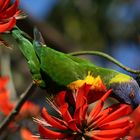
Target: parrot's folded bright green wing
{"x":59,"y":67}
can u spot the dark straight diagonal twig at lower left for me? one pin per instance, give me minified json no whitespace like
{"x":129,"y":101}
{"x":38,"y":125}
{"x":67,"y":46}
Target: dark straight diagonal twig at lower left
{"x":17,"y":108}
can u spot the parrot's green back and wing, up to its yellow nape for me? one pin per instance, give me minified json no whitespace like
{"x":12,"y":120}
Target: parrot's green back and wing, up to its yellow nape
{"x":65,"y":69}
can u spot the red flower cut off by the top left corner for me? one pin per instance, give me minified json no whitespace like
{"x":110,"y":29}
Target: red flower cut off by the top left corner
{"x":8,"y":15}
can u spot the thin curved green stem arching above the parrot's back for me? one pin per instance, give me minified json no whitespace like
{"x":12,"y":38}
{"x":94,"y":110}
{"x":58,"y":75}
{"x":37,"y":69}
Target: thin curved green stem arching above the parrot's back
{"x":108,"y":57}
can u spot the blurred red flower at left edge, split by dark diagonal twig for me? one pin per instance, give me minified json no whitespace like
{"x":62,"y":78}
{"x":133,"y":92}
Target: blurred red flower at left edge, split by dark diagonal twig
{"x":29,"y":109}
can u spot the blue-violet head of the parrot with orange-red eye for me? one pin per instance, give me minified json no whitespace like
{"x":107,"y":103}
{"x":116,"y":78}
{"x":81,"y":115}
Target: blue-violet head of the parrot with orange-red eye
{"x":127,"y":91}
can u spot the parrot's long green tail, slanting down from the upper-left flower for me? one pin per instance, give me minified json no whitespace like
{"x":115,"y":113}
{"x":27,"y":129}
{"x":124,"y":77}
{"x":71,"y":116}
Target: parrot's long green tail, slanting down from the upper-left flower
{"x":28,"y":50}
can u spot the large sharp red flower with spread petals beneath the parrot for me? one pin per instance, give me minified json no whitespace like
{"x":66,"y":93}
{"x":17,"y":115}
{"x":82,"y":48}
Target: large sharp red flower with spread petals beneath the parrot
{"x":78,"y":123}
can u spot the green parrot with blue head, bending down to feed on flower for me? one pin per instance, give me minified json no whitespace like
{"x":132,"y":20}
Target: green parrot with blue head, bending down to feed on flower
{"x":51,"y":67}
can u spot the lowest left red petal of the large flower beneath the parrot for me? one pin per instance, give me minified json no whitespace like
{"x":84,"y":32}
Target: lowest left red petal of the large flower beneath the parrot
{"x":47,"y":133}
